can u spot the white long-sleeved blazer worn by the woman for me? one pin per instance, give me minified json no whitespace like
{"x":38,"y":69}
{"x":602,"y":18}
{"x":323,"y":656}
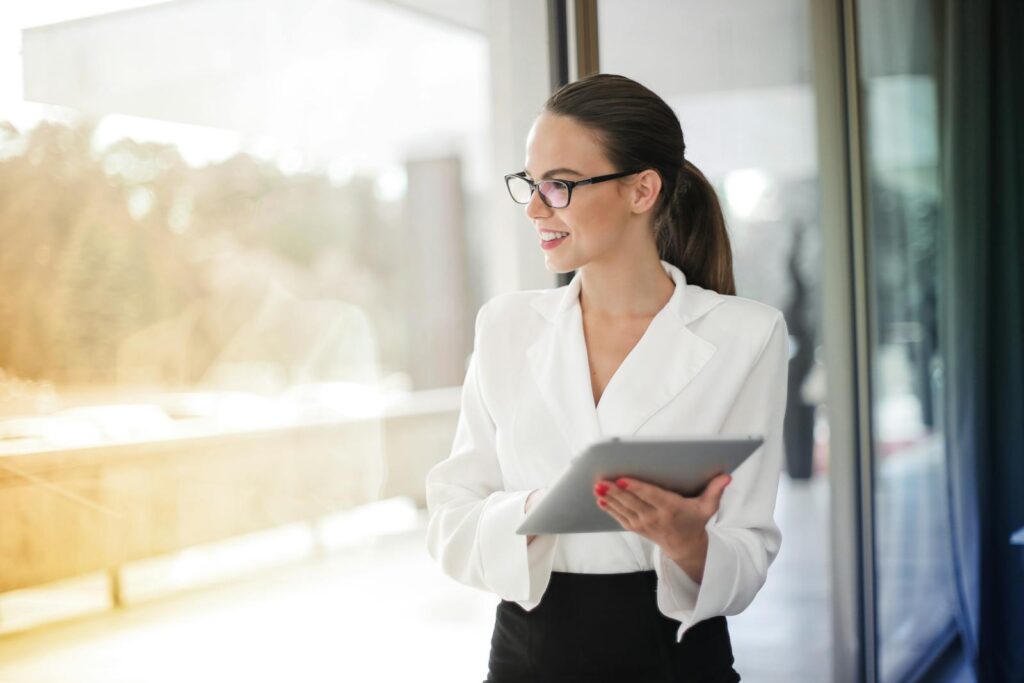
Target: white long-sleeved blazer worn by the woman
{"x":708,"y":364}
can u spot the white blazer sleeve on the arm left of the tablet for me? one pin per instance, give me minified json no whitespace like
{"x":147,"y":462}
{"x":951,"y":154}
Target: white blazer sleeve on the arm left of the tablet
{"x":472,"y":519}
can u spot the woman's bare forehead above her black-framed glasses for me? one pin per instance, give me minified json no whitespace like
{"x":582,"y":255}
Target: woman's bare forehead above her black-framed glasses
{"x":558,"y":142}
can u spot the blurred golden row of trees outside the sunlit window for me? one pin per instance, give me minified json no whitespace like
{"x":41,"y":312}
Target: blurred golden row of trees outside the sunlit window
{"x":97,"y":245}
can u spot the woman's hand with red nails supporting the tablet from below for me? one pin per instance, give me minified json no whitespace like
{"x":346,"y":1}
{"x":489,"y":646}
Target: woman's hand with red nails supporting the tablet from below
{"x":673,"y":522}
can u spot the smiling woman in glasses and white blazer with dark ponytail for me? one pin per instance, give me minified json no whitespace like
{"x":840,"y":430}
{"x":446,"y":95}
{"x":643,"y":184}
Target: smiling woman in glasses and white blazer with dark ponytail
{"x":652,"y":327}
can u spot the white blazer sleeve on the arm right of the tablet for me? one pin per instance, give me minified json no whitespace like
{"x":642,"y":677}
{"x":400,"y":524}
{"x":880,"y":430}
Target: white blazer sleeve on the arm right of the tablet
{"x":743,"y":537}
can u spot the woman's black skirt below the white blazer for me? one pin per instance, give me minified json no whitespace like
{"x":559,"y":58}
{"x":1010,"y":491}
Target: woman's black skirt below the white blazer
{"x":605,"y":627}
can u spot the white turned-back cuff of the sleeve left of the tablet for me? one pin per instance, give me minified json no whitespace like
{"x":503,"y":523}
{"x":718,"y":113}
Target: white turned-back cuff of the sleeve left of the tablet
{"x":511,"y":569}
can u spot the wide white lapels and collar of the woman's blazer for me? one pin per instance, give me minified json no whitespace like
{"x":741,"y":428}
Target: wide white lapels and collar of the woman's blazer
{"x":661,"y":365}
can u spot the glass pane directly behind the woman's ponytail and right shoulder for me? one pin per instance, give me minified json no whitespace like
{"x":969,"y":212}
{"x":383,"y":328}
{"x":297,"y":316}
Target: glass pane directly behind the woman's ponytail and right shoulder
{"x":738,"y":74}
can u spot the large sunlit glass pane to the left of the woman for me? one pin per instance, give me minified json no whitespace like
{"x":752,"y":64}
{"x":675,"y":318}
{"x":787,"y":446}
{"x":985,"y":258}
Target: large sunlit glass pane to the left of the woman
{"x":242,"y":245}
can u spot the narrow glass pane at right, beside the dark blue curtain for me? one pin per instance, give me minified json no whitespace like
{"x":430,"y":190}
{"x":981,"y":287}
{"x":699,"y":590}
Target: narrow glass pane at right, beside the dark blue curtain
{"x":914,"y":559}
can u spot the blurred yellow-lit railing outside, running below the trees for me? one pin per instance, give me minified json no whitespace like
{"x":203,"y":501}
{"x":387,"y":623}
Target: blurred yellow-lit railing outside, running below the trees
{"x":71,"y":511}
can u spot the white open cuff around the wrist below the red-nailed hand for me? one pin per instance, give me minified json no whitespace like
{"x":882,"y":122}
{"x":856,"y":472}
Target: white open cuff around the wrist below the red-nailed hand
{"x":689,"y":603}
